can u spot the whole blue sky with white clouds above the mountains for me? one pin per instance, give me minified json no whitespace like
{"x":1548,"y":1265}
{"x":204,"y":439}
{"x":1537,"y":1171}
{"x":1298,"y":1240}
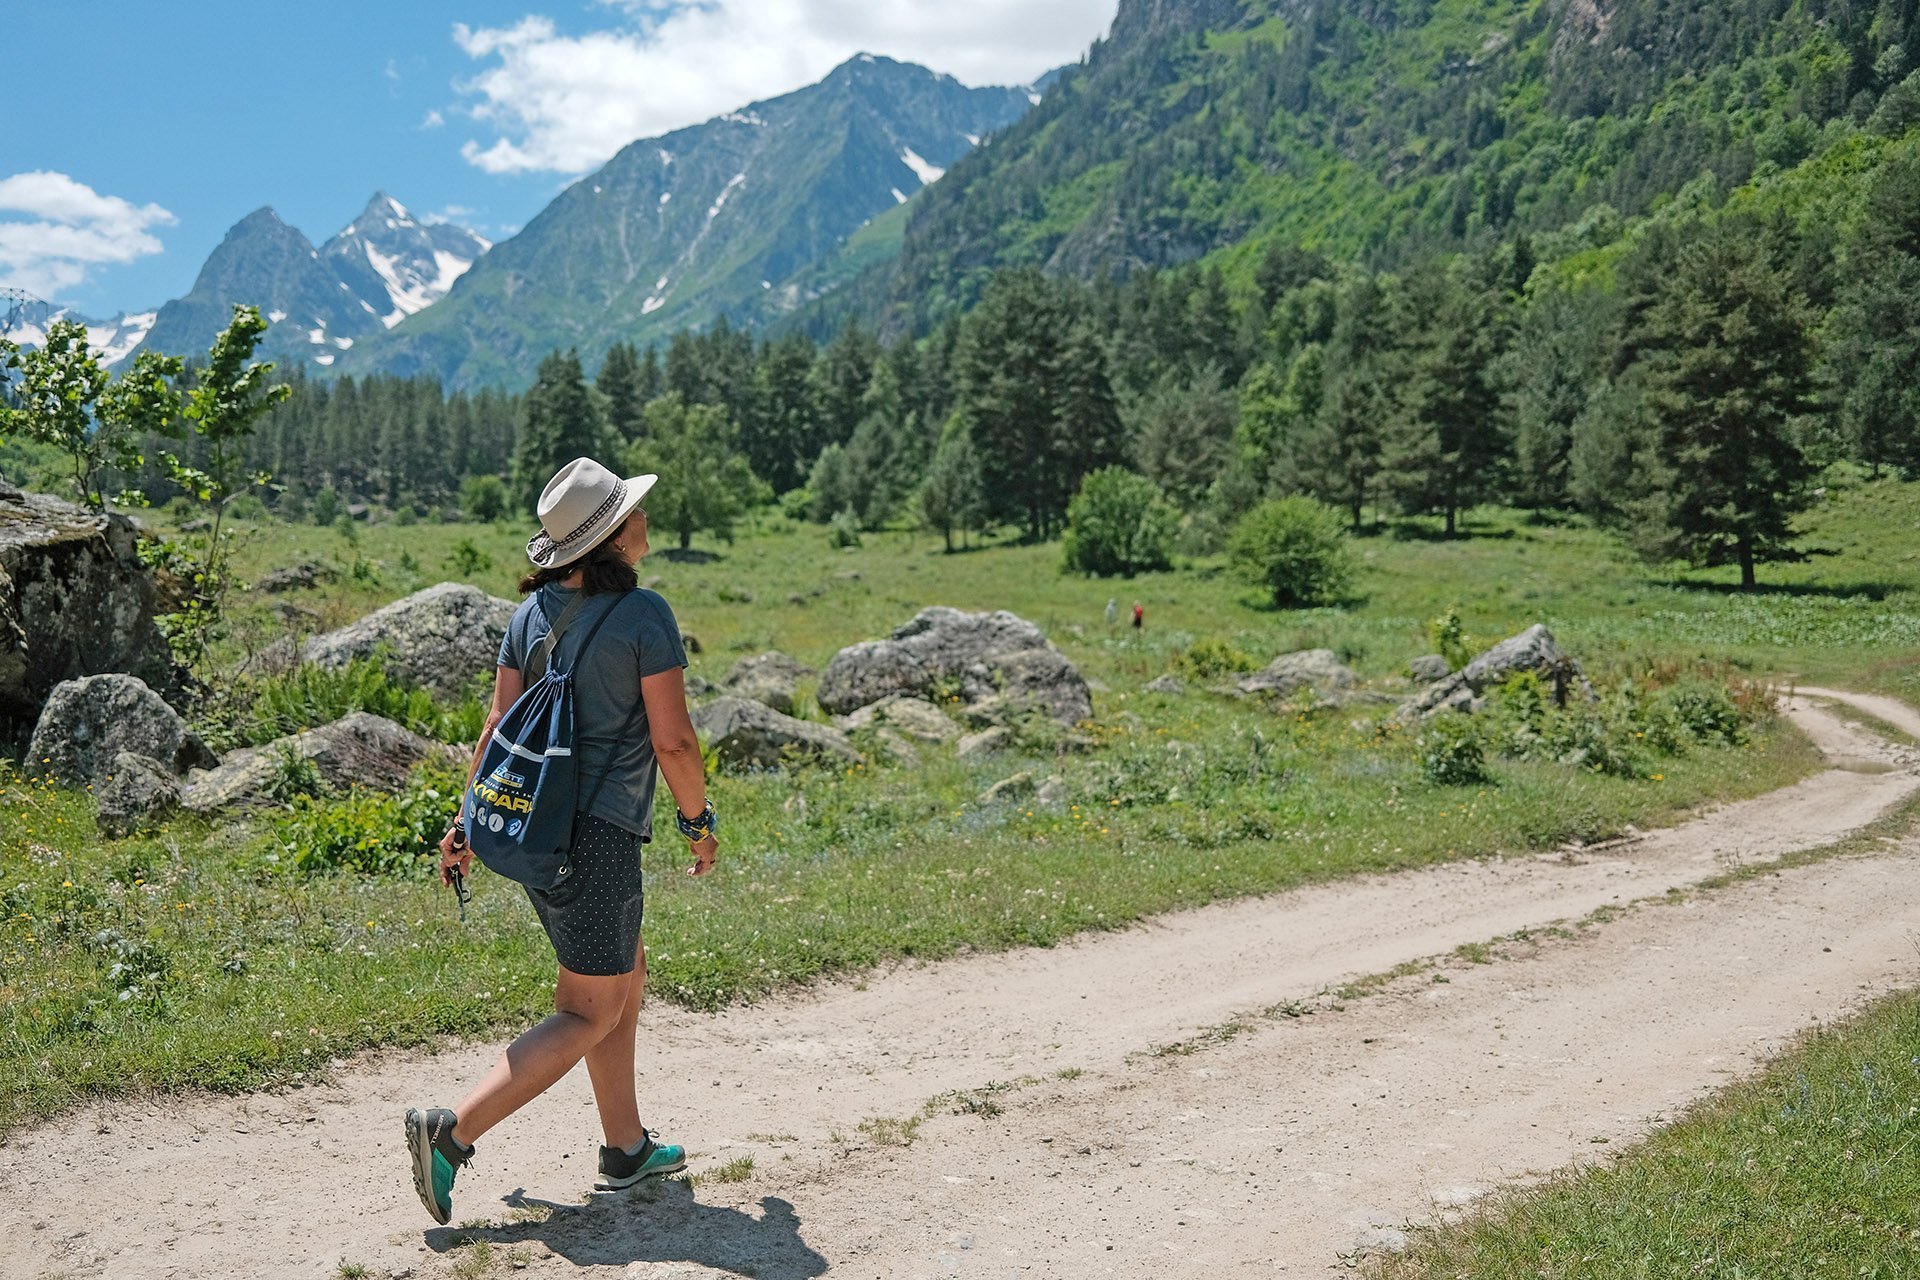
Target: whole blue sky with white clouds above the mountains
{"x":139,"y":131}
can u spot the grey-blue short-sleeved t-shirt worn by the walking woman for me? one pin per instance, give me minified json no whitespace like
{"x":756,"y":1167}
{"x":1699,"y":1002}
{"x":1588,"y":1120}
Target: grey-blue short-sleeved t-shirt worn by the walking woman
{"x":612,"y":734}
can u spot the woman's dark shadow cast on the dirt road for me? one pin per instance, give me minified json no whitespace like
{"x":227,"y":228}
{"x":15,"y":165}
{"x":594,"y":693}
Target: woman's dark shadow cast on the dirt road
{"x":652,"y":1223}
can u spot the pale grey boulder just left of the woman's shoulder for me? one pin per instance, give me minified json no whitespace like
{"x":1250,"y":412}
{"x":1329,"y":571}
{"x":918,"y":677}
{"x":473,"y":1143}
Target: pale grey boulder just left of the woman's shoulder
{"x":439,"y":638}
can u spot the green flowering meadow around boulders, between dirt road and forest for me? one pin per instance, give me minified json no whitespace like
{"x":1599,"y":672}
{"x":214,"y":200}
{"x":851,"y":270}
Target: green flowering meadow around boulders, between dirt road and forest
{"x":254,"y":951}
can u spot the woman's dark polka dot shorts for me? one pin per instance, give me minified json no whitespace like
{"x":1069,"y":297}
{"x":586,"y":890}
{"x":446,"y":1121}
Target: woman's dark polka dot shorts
{"x":592,"y":918}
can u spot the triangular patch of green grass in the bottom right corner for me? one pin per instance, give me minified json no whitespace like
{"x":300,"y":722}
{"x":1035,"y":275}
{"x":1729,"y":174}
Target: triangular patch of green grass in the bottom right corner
{"x":1806,"y":1172}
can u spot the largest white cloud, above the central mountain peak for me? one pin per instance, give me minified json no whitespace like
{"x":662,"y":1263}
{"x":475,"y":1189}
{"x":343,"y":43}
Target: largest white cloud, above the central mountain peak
{"x":567,"y":103}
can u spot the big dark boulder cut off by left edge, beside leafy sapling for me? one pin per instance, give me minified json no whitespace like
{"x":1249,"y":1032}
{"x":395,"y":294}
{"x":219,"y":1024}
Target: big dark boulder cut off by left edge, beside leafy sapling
{"x":74,"y":602}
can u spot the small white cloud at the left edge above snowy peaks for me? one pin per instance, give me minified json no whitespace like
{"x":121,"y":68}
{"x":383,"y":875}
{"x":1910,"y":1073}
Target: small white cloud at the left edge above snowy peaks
{"x":55,"y":231}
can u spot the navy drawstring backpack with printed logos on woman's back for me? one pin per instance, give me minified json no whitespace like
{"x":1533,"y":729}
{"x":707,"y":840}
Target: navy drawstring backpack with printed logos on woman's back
{"x":523,"y":801}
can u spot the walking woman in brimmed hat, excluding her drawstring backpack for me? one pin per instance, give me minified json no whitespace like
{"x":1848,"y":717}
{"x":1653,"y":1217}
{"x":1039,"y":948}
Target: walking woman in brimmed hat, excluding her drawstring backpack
{"x":631,"y":719}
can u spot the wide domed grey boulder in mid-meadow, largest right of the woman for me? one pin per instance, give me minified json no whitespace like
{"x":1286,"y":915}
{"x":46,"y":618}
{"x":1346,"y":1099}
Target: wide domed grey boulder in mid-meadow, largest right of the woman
{"x":988,"y":653}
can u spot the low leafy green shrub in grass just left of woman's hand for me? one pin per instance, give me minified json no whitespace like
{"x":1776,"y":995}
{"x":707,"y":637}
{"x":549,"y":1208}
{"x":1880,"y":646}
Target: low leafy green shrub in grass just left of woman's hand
{"x":372,"y":832}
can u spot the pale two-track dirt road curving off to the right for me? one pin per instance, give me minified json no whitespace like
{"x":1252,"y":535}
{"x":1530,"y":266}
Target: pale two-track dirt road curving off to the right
{"x":1007,"y":1116}
